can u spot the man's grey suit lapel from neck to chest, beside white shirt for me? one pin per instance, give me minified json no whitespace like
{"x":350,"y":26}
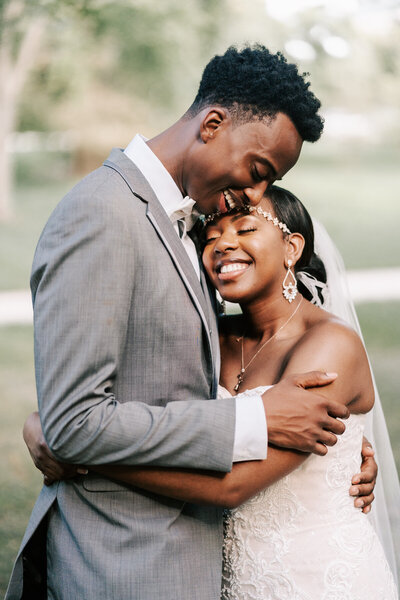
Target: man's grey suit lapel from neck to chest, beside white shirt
{"x":168,"y":237}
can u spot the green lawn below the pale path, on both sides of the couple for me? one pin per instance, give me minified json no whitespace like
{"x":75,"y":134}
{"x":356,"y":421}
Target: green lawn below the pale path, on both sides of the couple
{"x":19,"y":480}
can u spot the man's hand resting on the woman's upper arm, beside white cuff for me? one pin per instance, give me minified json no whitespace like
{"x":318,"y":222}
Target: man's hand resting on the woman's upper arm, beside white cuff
{"x":300,"y":419}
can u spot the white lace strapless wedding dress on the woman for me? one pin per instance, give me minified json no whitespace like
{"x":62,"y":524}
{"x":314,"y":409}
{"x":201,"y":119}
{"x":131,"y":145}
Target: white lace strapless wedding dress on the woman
{"x":302,"y":538}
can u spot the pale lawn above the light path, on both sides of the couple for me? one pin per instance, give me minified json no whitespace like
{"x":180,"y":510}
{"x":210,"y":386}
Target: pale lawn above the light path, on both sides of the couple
{"x":354,"y":193}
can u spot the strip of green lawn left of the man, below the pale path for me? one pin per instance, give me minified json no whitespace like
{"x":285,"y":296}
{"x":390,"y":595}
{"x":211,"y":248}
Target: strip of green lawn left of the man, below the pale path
{"x":19,"y":482}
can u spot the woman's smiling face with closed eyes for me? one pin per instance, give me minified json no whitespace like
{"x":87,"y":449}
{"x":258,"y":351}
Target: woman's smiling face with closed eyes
{"x":244,"y":256}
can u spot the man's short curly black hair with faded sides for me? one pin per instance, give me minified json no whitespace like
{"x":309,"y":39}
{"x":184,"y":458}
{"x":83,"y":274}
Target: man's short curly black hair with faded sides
{"x":253,"y":83}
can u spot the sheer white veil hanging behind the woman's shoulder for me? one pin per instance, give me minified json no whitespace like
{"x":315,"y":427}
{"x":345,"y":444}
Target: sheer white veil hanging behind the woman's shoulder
{"x":385,"y":513}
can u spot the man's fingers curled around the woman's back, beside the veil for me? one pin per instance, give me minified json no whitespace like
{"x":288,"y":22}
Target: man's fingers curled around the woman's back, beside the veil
{"x":364,"y":482}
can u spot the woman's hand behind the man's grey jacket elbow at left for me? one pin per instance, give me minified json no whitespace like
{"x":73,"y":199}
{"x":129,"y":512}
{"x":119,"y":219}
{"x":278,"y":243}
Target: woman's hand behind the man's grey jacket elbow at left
{"x":42,"y":457}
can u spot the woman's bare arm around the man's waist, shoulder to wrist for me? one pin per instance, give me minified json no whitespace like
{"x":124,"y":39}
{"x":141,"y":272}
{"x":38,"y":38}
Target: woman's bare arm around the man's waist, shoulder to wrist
{"x":353,"y":387}
